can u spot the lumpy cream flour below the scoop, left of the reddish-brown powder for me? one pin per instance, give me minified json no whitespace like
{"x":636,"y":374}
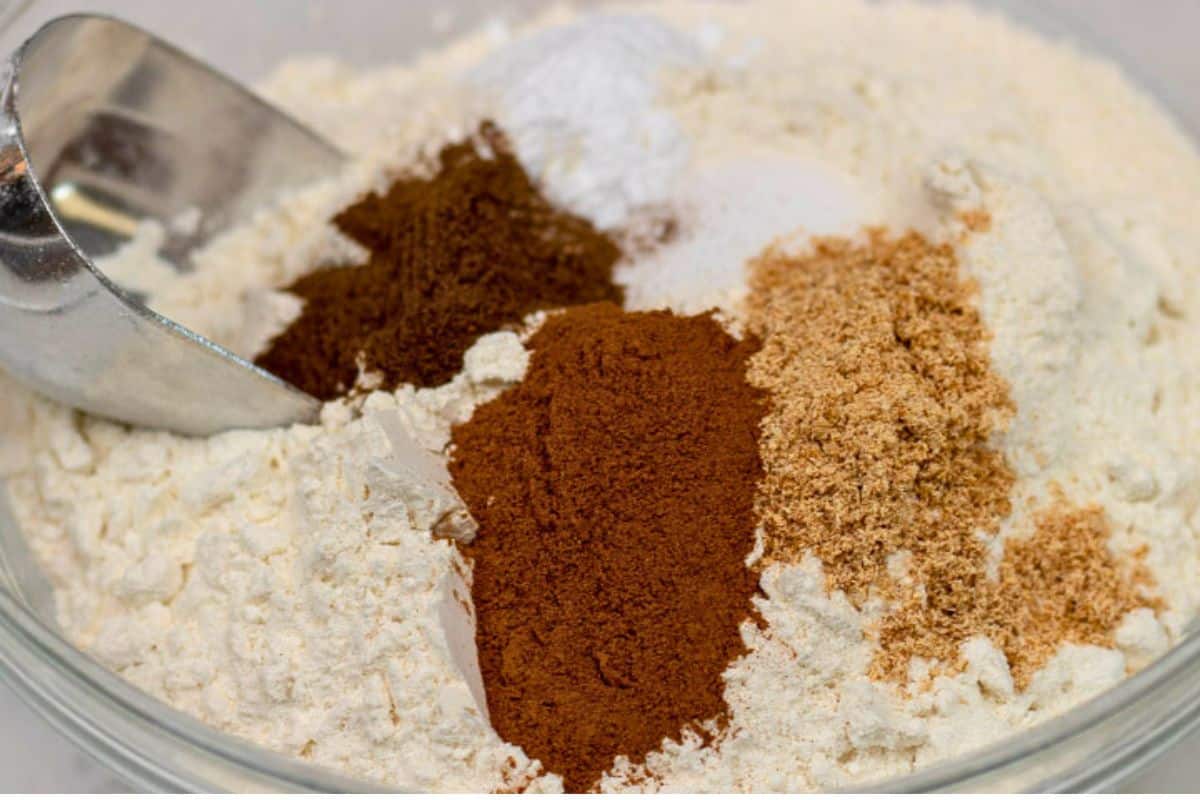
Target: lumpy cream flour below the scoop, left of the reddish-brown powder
{"x":283,"y":586}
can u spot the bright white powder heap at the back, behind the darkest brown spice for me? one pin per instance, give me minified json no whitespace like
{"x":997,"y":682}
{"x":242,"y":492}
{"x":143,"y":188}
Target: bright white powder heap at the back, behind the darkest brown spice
{"x":583,"y":103}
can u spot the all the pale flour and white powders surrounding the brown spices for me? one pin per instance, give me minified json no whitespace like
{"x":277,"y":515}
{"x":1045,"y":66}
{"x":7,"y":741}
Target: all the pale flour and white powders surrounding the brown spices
{"x":285,"y":586}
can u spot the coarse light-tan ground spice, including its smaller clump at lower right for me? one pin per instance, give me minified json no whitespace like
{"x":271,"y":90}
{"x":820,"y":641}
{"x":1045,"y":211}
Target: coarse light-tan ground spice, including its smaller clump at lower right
{"x":878,"y":443}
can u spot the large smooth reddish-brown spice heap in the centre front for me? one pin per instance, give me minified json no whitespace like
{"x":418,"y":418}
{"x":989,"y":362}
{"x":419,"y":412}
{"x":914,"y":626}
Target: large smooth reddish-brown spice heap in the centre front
{"x":614,"y":489}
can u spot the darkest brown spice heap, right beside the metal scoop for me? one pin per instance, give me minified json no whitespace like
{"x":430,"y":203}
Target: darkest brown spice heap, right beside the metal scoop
{"x":467,"y":252}
